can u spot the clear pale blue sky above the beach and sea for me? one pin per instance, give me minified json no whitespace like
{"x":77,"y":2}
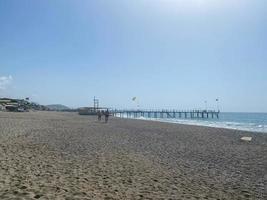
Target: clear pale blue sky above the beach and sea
{"x":167,"y":53}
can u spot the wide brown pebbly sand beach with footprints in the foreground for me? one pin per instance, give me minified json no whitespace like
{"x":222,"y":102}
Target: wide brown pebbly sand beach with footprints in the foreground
{"x":53,"y":155}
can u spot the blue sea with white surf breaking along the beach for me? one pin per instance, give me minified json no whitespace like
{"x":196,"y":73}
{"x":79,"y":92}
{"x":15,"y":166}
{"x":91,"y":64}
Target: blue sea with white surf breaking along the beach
{"x":254,"y":122}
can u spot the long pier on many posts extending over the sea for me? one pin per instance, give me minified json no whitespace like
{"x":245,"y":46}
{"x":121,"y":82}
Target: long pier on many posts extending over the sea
{"x":193,"y":114}
